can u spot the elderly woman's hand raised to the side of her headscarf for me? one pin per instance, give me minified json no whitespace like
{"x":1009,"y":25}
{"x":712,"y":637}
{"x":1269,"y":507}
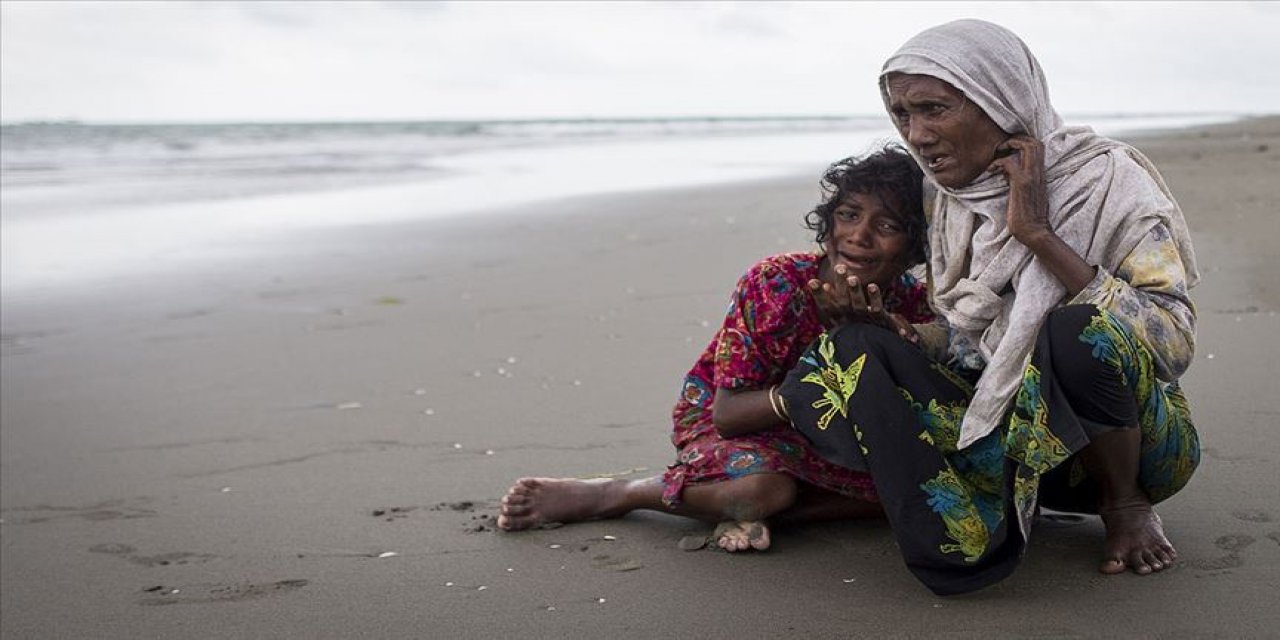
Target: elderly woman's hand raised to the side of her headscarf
{"x":1022,"y":161}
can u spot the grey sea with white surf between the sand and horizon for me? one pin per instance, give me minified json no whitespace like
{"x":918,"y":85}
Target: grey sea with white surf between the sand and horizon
{"x":89,"y":202}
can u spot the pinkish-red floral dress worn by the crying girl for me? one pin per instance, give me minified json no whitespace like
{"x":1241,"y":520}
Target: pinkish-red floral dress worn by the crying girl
{"x":771,"y":321}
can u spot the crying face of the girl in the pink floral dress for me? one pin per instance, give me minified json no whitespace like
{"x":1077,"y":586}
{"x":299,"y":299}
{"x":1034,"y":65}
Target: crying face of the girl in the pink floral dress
{"x":870,"y":240}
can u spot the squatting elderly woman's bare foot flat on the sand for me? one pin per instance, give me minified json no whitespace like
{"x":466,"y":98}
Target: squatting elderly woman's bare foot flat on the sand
{"x":1136,"y":540}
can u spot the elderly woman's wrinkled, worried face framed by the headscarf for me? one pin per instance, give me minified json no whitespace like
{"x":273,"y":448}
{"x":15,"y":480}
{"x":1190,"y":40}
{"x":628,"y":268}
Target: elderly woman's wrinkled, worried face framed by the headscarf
{"x":954,"y":138}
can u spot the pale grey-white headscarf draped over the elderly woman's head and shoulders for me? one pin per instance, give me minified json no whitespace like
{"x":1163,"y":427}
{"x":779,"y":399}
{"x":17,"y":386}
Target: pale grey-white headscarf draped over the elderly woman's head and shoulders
{"x":1104,"y":198}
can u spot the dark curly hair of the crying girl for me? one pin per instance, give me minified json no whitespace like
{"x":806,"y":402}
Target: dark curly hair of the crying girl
{"x":889,"y":173}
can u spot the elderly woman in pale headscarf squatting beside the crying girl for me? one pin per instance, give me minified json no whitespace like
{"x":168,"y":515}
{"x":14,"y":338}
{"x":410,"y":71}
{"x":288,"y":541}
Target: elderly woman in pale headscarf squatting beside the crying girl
{"x":1059,"y":268}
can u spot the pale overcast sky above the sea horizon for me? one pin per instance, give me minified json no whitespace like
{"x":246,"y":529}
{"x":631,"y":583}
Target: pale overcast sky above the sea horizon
{"x":380,"y":61}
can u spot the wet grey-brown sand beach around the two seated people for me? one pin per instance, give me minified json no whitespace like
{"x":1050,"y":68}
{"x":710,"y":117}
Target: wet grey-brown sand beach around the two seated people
{"x":313,"y":446}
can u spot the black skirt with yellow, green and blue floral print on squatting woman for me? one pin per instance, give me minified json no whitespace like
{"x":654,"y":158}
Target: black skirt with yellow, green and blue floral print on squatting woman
{"x":871,"y":401}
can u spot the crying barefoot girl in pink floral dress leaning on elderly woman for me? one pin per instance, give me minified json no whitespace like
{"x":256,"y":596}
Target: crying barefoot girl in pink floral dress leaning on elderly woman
{"x":739,"y":463}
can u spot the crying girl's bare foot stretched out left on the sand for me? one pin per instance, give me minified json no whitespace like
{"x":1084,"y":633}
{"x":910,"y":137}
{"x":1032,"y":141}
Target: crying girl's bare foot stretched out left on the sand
{"x":537,"y":501}
